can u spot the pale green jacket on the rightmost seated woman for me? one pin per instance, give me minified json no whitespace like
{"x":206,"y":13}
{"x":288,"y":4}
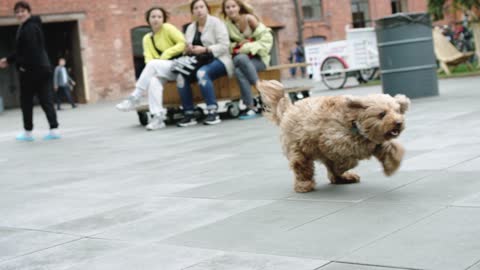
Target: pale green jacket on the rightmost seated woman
{"x":261,"y":46}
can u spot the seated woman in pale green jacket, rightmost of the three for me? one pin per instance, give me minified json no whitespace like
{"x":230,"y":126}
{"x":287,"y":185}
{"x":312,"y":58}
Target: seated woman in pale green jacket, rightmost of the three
{"x":251,"y":42}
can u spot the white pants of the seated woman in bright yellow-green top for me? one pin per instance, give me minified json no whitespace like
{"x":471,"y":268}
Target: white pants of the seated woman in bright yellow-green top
{"x":155,"y":74}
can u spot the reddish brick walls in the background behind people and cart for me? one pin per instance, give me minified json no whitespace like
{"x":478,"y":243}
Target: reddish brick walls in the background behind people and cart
{"x":105,"y":31}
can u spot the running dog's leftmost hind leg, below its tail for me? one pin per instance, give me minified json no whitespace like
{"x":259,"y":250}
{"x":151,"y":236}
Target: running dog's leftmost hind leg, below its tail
{"x":303,"y":168}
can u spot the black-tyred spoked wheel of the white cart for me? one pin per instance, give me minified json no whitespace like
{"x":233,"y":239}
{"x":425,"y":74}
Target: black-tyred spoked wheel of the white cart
{"x":333,"y":73}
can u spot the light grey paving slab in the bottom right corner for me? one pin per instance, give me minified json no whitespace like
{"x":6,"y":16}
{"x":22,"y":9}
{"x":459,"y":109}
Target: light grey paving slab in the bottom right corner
{"x":441,"y":241}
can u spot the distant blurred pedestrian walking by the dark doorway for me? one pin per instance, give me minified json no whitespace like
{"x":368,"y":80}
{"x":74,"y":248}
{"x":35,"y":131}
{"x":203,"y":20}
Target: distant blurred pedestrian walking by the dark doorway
{"x":63,"y":84}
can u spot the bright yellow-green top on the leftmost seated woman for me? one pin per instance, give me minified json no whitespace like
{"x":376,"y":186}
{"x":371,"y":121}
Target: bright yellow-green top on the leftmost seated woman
{"x":169,"y":40}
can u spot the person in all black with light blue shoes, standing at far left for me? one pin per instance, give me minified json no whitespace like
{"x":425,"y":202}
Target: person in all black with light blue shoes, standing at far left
{"x":35,"y":71}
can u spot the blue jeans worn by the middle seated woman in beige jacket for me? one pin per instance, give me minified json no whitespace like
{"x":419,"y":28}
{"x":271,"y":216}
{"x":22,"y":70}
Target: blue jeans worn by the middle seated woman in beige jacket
{"x":205,"y":77}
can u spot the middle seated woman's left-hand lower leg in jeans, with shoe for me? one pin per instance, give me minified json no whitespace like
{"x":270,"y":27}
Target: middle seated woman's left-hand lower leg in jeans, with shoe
{"x":185,"y":92}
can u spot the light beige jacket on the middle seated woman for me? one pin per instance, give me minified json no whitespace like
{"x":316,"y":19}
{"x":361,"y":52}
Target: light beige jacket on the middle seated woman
{"x":215,"y":38}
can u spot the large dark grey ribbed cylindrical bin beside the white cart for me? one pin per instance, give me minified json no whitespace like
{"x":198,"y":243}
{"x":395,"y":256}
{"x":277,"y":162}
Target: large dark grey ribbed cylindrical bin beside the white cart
{"x":407,"y":59}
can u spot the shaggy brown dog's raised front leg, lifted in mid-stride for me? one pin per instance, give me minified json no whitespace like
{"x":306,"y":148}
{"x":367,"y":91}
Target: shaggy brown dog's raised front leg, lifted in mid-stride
{"x":390,"y":154}
